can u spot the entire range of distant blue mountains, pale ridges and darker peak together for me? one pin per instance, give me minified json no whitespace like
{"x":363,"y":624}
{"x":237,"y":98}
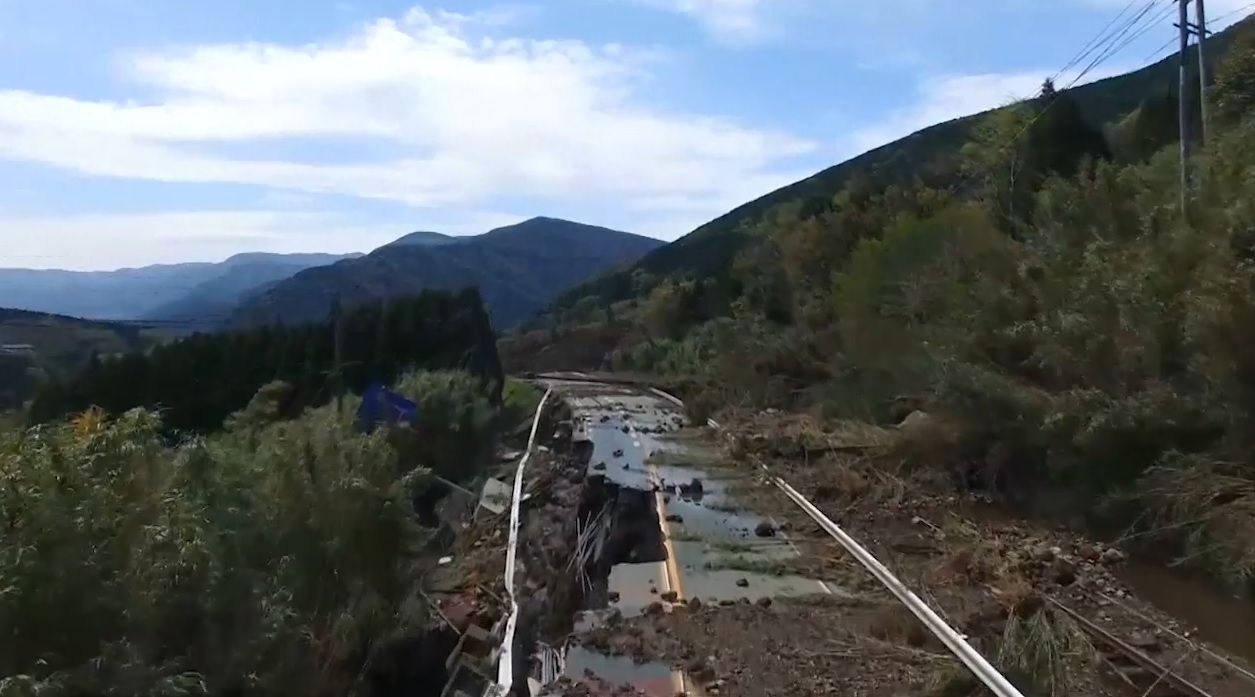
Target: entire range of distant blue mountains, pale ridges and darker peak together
{"x":519,"y":269}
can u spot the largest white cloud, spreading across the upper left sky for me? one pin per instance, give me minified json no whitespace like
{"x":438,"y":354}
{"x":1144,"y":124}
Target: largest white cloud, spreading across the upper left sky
{"x":470,"y":116}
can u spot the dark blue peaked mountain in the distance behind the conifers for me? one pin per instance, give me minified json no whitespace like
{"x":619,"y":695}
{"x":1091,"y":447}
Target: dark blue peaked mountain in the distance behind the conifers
{"x":518,"y":269}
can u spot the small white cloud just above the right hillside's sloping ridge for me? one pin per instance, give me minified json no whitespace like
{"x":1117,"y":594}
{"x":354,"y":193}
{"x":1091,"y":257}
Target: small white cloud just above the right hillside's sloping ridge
{"x":948,"y":97}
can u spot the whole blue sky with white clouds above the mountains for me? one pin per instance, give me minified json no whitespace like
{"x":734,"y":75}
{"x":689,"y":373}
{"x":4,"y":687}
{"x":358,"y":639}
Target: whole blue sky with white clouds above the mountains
{"x":137,"y":132}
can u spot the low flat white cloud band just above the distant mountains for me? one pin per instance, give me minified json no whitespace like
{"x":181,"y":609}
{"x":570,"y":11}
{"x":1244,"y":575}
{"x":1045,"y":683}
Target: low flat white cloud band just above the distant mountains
{"x":100,"y":242}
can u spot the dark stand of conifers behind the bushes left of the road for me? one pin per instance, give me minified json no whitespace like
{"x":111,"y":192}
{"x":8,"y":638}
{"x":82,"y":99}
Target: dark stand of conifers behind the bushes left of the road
{"x":200,"y":380}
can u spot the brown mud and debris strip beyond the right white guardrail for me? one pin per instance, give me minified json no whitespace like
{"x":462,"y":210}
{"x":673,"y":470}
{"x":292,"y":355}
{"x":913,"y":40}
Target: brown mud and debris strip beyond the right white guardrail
{"x":976,"y":567}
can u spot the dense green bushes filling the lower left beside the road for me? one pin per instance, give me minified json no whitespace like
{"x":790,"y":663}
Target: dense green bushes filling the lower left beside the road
{"x":277,"y":557}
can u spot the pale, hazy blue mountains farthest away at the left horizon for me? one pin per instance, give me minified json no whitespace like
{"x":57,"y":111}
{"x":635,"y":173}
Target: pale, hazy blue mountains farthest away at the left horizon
{"x":161,"y":292}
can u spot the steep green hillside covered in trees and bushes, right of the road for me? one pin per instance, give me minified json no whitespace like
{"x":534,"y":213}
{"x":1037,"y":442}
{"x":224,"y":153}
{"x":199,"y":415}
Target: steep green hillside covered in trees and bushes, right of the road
{"x":1030,"y":293}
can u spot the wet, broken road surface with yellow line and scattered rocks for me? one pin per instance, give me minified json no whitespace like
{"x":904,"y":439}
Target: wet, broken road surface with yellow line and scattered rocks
{"x":644,"y":450}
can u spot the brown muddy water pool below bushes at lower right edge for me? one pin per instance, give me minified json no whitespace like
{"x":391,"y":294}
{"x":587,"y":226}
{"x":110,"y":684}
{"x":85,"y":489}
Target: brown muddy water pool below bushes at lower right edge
{"x":1223,"y":620}
